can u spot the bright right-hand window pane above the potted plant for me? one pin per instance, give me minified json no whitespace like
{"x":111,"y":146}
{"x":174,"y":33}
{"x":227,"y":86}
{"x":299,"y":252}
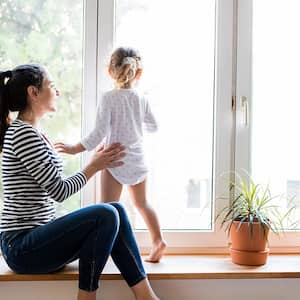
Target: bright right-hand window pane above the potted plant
{"x":275,"y":95}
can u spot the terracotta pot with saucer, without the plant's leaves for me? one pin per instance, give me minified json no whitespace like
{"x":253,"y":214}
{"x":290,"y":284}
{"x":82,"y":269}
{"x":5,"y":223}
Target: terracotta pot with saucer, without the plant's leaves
{"x":248,"y":248}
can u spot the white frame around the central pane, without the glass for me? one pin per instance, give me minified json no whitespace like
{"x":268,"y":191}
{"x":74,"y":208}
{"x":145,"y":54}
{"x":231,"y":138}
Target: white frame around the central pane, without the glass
{"x":99,"y":41}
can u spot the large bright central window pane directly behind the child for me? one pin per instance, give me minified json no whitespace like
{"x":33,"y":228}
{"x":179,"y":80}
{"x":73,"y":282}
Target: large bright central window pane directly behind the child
{"x":176,"y":41}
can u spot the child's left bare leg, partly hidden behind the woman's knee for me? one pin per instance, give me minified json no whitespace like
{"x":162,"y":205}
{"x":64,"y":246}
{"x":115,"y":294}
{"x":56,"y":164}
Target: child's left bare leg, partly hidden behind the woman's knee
{"x":110,"y":188}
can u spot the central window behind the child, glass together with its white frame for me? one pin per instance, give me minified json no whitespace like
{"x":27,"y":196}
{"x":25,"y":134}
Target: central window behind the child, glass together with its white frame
{"x":183,"y":74}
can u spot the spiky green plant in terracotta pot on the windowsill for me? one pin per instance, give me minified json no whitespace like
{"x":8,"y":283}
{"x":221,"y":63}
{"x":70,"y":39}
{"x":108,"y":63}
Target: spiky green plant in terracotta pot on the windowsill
{"x":249,"y":218}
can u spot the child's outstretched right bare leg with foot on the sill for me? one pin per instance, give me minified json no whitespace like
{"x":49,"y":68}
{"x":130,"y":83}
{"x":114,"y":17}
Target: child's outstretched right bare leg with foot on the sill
{"x":138,"y":195}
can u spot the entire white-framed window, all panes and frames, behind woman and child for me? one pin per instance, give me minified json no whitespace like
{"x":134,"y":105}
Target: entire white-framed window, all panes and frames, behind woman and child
{"x":197,"y":55}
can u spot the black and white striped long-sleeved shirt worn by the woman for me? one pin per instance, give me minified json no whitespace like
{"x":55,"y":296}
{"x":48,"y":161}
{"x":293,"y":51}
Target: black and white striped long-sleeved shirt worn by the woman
{"x":32,"y":180}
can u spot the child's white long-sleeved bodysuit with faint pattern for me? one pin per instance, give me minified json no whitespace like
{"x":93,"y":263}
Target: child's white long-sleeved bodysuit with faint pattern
{"x":121,"y":116}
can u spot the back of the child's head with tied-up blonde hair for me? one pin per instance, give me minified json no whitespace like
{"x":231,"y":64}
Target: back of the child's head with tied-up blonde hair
{"x":124,"y":65}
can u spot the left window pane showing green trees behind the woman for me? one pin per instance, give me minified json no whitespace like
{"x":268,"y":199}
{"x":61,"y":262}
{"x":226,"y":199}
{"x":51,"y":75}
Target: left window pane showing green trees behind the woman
{"x":50,"y":33}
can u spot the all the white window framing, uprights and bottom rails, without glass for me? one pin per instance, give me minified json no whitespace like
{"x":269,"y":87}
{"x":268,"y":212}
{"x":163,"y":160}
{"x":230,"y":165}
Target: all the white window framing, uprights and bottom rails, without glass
{"x":231,"y":135}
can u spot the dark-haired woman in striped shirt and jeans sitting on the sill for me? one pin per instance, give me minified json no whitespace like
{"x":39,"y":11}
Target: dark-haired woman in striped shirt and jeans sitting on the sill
{"x":33,"y":241}
